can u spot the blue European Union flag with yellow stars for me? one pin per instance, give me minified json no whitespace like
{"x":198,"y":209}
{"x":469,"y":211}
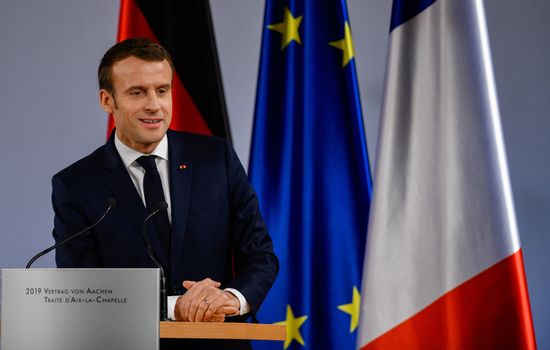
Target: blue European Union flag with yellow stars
{"x":309,"y":165}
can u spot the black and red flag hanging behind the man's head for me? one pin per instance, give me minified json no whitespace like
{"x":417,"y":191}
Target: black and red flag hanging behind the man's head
{"x":185,"y":29}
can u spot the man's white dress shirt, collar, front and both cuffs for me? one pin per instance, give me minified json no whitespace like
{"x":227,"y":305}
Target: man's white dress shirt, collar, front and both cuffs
{"x":137,"y":174}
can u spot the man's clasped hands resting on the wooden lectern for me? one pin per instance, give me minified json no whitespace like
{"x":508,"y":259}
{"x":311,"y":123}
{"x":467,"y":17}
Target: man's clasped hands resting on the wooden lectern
{"x":205,"y":302}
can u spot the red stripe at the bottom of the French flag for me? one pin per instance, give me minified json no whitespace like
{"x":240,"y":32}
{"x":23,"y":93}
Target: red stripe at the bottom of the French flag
{"x":486,"y":312}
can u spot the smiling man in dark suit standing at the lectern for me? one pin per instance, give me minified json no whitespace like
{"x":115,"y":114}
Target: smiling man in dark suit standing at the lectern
{"x":213,"y":243}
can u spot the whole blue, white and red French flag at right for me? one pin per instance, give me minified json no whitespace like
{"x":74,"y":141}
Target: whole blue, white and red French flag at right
{"x":443,"y":265}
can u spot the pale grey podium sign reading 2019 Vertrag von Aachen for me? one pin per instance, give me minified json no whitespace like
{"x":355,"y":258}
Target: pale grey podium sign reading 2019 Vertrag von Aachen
{"x":82,"y":309}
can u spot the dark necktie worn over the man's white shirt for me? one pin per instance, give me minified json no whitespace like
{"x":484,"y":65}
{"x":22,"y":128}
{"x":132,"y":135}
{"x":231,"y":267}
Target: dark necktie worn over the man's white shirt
{"x":152,"y":186}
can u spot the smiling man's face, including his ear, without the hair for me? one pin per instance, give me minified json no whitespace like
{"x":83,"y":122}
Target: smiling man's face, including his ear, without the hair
{"x":142,"y":102}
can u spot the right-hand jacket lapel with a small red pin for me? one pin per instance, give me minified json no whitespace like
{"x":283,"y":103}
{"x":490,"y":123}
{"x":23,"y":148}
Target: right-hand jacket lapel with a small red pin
{"x":181,"y":174}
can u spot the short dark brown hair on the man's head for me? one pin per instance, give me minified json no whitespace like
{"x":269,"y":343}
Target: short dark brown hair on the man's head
{"x":142,"y":48}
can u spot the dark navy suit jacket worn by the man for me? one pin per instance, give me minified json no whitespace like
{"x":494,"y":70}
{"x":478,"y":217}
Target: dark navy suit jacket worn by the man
{"x":217,"y":229}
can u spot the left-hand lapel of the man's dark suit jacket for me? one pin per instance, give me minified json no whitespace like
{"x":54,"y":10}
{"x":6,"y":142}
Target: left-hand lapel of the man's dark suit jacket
{"x":127,"y":196}
